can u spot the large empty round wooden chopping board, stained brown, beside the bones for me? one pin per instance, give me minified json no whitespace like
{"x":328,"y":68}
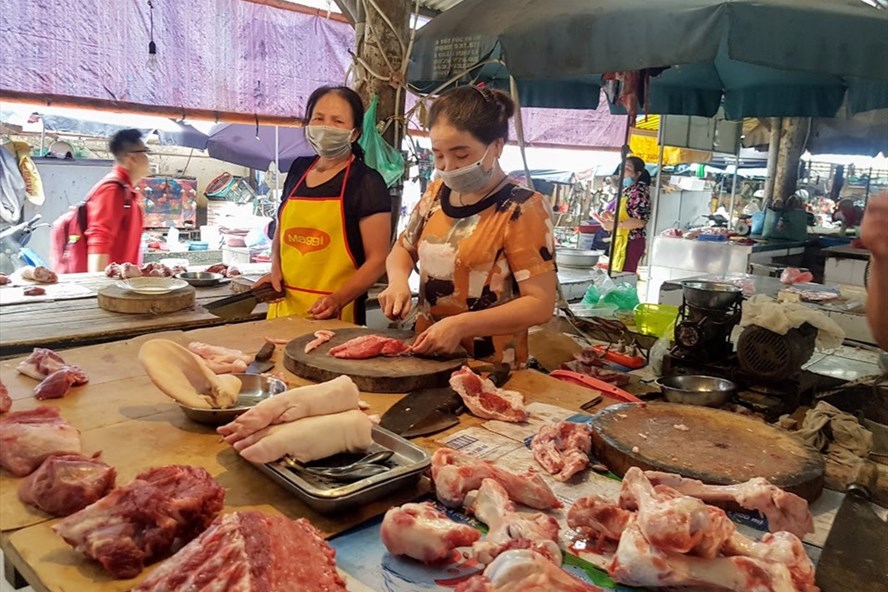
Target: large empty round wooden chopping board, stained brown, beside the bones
{"x":718,"y":447}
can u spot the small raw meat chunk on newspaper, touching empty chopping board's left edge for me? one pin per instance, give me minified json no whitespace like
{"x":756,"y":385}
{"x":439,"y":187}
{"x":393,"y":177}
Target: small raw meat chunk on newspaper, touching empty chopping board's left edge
{"x":562,"y":448}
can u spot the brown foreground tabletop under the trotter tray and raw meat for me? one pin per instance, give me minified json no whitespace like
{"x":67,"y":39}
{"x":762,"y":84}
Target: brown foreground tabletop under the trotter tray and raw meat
{"x":136,"y":427}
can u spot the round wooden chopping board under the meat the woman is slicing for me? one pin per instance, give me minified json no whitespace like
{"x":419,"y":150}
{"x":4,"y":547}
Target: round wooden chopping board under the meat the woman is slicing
{"x":401,"y":374}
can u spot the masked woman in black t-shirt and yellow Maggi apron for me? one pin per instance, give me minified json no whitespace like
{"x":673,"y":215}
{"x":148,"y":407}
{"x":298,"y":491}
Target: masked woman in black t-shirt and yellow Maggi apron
{"x":332,"y":233}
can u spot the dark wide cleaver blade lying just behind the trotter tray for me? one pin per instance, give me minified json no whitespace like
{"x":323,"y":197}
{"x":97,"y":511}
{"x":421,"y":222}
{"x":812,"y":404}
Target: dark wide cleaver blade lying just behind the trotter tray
{"x":420,"y":407}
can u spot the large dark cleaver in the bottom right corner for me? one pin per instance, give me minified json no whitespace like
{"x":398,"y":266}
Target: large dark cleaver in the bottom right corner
{"x":855,"y":555}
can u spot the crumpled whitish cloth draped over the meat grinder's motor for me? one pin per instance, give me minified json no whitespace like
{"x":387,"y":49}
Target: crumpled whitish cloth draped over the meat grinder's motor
{"x":763,"y":311}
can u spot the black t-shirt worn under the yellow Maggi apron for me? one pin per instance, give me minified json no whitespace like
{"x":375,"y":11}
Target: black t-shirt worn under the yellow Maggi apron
{"x":365,"y":194}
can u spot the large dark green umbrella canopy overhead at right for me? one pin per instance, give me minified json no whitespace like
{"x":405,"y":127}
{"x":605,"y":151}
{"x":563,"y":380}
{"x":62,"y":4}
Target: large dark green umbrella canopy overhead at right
{"x":760,"y":58}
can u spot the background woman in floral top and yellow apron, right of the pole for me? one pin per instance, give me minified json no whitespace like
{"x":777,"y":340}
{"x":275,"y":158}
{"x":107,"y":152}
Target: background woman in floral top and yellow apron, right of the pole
{"x":629,"y":239}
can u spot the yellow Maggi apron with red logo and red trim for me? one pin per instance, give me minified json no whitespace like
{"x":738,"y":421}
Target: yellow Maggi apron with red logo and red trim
{"x":315,"y":258}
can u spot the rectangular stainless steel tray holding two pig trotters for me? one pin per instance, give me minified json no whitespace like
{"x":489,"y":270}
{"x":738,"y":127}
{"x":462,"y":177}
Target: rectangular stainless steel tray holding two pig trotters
{"x":407,"y":464}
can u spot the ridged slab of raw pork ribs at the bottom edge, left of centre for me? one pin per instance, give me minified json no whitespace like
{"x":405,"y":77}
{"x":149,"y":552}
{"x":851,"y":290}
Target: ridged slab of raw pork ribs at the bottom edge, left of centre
{"x":251,"y":552}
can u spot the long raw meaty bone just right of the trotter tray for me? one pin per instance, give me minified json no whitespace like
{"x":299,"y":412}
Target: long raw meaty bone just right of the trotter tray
{"x":455,"y":474}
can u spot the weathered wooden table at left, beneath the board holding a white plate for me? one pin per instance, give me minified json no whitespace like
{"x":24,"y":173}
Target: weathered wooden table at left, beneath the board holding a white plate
{"x":61,"y":324}
